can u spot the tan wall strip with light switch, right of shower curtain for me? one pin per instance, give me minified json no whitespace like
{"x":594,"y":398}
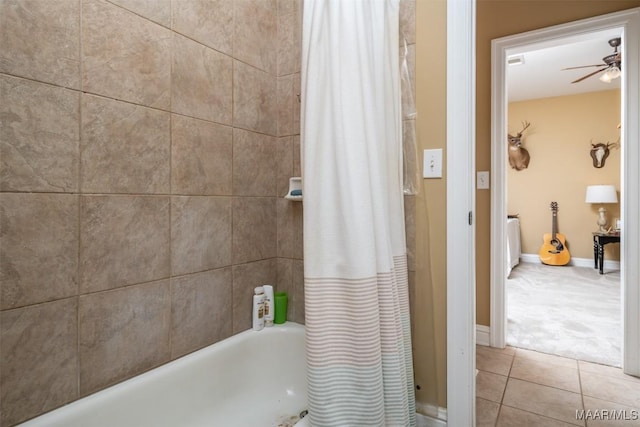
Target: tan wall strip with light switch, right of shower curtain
{"x":429,"y":294}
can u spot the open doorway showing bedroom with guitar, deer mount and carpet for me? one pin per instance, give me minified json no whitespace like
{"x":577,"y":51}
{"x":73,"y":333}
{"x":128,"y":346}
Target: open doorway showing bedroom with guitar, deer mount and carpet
{"x":557,"y":302}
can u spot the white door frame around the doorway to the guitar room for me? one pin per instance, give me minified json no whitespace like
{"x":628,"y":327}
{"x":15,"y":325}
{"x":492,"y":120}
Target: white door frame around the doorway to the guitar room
{"x":629,"y":21}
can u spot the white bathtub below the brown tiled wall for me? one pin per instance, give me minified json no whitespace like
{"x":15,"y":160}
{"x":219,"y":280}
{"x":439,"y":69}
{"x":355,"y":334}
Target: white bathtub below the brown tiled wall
{"x":250,"y":379}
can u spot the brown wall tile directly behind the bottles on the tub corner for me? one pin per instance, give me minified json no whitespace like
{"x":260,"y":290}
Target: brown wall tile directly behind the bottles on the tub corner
{"x":245,"y":278}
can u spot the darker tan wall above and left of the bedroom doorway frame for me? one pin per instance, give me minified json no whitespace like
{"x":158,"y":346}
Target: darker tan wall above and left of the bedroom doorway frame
{"x":497,"y":18}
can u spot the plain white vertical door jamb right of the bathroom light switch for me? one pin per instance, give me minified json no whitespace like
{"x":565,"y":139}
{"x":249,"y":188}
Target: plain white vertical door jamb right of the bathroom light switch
{"x":461,"y":284}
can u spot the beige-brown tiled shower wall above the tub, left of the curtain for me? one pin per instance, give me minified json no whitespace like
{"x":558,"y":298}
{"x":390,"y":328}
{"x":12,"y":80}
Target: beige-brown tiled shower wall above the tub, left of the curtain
{"x":144,"y":151}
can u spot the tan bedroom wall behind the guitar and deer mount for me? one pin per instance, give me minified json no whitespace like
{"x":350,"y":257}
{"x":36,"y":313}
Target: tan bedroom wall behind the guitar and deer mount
{"x":559,"y":141}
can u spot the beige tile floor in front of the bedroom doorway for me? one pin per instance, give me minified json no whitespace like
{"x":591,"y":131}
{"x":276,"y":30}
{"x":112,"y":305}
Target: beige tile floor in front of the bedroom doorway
{"x":522,"y":388}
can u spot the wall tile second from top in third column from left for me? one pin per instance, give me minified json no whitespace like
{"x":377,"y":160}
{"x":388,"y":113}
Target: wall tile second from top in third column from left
{"x":202,"y":81}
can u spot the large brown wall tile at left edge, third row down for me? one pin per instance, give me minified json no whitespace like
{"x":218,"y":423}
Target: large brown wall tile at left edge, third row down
{"x":38,"y":248}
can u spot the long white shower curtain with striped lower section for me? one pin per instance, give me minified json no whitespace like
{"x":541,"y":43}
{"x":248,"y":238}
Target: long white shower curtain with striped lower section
{"x":359,"y":360}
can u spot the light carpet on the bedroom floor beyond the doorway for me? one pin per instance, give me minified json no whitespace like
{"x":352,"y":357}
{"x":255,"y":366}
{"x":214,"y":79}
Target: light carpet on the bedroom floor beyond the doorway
{"x":568,"y":311}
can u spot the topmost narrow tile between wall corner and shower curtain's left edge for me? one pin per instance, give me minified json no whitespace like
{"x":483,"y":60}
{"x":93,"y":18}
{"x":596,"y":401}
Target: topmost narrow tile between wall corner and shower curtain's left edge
{"x":289,"y":36}
